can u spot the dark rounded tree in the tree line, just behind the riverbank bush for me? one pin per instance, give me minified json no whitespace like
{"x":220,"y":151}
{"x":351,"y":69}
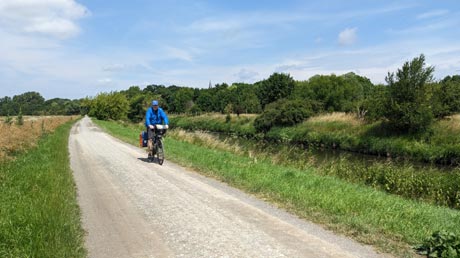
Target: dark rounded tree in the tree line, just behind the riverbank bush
{"x":277,"y":86}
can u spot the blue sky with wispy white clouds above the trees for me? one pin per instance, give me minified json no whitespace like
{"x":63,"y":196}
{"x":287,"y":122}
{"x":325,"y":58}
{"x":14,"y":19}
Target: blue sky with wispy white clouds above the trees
{"x":78,"y":48}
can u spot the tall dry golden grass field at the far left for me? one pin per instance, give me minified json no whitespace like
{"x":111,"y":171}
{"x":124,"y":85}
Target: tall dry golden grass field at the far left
{"x":18,"y":138}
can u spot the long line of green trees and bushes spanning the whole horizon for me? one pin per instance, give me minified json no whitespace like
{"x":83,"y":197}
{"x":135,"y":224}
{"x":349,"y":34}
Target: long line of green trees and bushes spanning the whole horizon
{"x":409,"y":102}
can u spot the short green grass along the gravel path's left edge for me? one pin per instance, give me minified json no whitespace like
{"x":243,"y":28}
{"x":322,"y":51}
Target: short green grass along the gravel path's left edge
{"x":39,"y":214}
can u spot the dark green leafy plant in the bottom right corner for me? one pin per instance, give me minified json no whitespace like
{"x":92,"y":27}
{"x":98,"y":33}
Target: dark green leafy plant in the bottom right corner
{"x":441,"y":244}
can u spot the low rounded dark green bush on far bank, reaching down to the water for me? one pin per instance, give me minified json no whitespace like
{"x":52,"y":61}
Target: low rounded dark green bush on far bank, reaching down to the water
{"x":282,"y":113}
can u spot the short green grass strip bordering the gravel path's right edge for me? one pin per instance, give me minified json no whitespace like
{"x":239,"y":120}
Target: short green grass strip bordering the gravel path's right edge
{"x":391,"y":223}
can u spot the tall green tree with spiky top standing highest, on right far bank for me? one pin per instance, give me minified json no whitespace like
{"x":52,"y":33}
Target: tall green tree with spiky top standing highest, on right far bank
{"x":408,"y":108}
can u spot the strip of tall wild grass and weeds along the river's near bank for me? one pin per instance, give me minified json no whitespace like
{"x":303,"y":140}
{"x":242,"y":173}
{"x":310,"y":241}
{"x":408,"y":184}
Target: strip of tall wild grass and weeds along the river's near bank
{"x":422,"y":182}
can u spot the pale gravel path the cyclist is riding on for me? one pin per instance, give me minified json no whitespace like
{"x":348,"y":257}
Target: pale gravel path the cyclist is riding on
{"x":132,"y":208}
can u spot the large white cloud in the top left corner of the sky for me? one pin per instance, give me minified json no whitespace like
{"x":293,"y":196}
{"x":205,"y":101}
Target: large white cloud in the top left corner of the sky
{"x":55,"y":18}
